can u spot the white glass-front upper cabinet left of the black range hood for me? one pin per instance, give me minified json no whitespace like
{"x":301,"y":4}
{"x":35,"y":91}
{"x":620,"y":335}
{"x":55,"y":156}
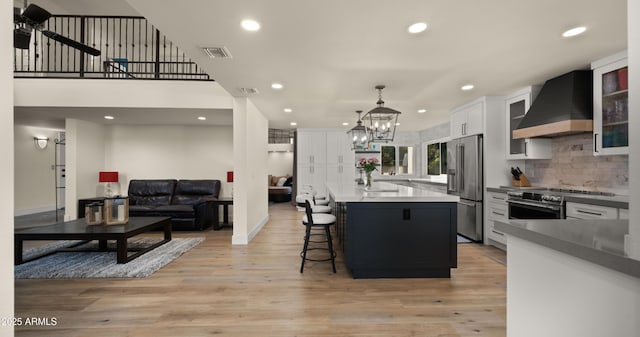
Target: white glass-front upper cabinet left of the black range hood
{"x":517,"y":105}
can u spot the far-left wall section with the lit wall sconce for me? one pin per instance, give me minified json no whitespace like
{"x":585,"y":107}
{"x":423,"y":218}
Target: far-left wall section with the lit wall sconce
{"x":34,"y":189}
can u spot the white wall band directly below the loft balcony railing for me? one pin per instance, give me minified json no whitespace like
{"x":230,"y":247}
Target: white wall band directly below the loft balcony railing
{"x":139,"y":93}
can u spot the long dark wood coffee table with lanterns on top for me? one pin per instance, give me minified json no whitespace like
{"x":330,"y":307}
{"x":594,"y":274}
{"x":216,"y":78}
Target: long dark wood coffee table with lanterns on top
{"x":79,"y":230}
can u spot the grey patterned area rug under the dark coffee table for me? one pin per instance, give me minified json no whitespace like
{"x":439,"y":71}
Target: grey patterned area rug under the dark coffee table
{"x":101,"y":264}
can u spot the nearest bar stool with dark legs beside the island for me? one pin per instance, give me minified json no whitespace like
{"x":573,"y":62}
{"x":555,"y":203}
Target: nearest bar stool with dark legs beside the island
{"x":317,"y":221}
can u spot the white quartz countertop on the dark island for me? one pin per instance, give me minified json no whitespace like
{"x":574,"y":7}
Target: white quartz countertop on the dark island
{"x":386,"y":192}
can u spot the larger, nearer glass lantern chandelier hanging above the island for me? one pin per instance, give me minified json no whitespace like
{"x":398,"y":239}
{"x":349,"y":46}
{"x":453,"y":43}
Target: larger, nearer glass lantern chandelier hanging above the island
{"x":381,"y":121}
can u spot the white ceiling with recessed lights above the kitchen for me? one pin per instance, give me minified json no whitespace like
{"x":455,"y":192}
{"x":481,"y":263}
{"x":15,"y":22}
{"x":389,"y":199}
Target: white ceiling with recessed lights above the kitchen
{"x":330,"y":54}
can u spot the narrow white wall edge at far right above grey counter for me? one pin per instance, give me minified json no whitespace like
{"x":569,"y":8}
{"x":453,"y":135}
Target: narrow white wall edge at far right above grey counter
{"x":633,"y":21}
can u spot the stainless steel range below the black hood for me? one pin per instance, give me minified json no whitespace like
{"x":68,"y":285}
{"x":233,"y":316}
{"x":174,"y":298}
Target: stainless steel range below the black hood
{"x":544,"y":204}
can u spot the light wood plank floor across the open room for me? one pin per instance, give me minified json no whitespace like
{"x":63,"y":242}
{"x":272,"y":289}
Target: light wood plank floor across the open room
{"x":257,"y":290}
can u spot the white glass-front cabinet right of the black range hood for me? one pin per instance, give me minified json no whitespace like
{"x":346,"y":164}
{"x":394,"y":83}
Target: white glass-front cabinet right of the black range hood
{"x":611,"y":105}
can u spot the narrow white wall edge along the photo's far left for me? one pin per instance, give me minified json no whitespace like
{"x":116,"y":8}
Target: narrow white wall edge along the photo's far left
{"x":6,"y":178}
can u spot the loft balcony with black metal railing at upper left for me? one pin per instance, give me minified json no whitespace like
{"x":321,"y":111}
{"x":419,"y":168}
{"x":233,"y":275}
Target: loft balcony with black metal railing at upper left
{"x":130,"y":48}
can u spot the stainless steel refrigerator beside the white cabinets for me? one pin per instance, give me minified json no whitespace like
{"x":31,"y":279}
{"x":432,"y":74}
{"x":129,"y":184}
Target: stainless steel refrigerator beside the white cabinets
{"x":465,"y":179}
